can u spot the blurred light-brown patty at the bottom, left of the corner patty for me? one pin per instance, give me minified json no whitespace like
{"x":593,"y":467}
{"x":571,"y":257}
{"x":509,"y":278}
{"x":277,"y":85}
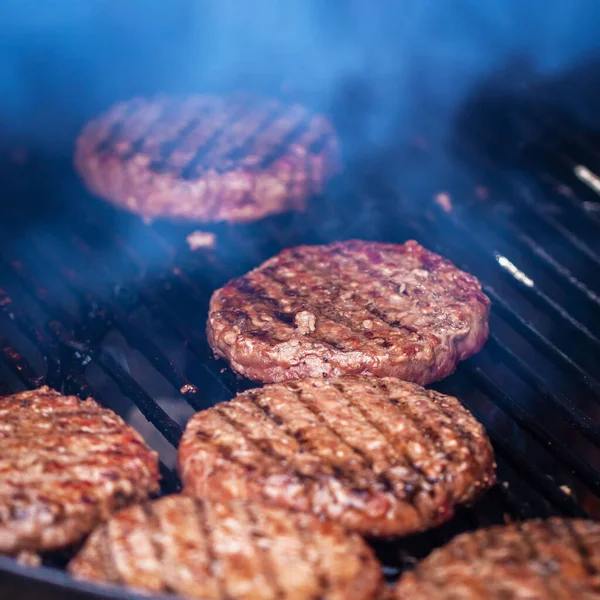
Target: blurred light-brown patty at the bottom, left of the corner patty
{"x":228,"y":551}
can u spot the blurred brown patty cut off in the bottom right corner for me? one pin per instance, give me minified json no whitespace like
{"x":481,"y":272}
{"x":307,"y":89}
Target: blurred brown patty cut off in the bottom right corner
{"x":557,"y":559}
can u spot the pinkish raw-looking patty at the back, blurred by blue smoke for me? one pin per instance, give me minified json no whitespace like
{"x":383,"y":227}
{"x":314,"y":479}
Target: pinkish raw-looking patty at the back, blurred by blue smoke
{"x":207,"y":158}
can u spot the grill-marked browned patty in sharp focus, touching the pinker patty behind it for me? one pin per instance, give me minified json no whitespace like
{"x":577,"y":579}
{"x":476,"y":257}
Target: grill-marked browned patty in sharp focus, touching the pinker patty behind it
{"x":382,"y":457}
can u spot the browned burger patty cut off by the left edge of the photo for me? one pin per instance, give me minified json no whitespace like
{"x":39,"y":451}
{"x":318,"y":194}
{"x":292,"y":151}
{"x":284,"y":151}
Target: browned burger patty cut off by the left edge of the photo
{"x":64,"y":466}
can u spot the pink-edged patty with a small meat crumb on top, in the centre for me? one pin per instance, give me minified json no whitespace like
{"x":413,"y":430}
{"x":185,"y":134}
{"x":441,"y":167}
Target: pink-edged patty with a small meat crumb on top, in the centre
{"x":349,"y":308}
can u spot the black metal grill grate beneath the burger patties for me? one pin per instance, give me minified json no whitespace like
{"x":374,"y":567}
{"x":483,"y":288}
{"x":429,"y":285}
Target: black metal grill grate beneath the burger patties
{"x":92,"y":273}
